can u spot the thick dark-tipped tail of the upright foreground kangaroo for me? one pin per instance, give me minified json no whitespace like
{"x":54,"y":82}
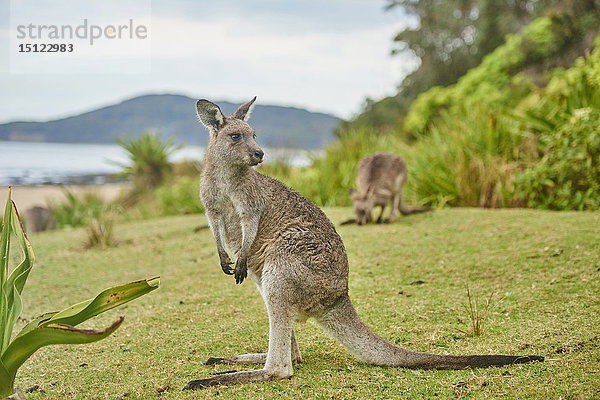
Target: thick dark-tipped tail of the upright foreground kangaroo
{"x":343,"y":324}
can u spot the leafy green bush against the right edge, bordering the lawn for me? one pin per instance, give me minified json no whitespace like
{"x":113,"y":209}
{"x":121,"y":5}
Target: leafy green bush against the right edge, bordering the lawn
{"x":565,"y":116}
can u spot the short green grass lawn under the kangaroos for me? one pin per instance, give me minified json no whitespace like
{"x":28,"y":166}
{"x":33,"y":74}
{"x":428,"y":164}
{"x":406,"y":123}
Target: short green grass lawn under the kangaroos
{"x":544,"y":268}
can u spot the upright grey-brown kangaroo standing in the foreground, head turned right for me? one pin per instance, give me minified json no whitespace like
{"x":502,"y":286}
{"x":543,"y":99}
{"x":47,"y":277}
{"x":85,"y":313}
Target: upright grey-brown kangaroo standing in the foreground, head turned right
{"x":291,"y":251}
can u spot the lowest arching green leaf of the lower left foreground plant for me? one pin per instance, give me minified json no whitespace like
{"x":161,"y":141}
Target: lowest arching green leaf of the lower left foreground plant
{"x":25,"y":345}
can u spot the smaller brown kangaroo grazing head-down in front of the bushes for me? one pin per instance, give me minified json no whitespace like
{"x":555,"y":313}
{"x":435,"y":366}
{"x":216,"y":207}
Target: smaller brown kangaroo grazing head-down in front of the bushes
{"x":380,"y":178}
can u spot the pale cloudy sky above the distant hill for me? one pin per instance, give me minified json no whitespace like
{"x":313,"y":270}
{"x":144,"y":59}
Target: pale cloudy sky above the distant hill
{"x":322,"y":55}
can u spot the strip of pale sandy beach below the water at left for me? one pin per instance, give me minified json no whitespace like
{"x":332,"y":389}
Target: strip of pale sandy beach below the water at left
{"x":26,"y":197}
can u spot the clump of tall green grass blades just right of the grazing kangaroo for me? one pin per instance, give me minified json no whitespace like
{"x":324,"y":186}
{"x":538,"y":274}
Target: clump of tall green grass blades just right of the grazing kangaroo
{"x":469,"y":161}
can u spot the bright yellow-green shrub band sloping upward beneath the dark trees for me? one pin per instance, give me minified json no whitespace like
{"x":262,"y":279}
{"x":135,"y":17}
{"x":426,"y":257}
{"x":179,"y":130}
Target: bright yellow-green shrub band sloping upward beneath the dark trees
{"x":498,"y":81}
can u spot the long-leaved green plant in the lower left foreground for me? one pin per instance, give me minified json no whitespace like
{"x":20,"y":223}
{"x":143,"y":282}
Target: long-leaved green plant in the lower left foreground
{"x":49,"y":328}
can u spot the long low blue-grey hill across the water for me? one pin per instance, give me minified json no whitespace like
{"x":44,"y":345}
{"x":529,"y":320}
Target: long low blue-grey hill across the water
{"x":175,"y":115}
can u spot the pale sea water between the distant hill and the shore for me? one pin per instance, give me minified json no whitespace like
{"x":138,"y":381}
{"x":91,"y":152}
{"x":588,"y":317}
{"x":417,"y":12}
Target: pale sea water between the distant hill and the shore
{"x":25,"y":163}
